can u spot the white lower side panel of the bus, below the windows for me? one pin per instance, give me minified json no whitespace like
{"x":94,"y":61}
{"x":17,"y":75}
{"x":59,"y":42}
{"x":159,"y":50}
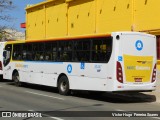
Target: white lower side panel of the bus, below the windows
{"x":32,"y":72}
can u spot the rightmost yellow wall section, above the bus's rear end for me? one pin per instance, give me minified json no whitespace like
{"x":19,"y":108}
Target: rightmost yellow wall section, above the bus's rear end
{"x":146,"y":17}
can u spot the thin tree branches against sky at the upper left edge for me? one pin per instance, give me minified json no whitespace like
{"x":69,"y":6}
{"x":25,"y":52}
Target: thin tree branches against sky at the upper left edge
{"x":5,"y":6}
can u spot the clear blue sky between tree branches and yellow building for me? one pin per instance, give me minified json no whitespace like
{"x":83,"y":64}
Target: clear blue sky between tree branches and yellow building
{"x":18,"y":13}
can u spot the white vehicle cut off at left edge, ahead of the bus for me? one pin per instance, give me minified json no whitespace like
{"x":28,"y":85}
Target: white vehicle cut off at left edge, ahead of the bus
{"x":2,"y":44}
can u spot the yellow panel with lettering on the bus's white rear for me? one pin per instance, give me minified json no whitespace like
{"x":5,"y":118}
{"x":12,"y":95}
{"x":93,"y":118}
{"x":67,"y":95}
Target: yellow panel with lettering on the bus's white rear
{"x":138,"y":71}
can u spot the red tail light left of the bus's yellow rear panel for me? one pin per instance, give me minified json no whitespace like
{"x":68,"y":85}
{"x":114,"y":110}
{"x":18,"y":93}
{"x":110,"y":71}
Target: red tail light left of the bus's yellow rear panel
{"x":119,"y":72}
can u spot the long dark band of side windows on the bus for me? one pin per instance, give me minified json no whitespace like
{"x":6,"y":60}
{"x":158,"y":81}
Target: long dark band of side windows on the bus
{"x":76,"y":51}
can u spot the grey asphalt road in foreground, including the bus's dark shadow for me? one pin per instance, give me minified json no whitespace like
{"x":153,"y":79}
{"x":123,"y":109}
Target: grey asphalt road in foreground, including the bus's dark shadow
{"x":48,"y":103}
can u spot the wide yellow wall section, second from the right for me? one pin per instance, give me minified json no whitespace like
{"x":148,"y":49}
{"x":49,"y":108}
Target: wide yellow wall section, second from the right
{"x":113,"y":15}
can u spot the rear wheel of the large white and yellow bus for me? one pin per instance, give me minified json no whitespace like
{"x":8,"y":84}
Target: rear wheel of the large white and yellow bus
{"x":63,"y":86}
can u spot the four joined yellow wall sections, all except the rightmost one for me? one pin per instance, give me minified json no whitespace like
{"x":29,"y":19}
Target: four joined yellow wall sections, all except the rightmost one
{"x":58,"y":18}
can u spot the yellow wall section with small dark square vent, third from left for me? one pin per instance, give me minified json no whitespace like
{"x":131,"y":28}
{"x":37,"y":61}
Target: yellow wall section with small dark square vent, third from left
{"x":81,"y":17}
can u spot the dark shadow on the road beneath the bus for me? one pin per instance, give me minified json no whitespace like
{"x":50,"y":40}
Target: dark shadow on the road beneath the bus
{"x":99,"y":96}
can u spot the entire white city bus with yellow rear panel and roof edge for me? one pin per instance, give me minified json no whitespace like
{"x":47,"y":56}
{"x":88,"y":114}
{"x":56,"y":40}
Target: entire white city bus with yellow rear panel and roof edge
{"x":116,"y":62}
